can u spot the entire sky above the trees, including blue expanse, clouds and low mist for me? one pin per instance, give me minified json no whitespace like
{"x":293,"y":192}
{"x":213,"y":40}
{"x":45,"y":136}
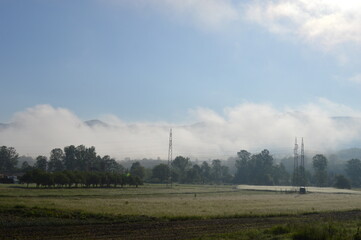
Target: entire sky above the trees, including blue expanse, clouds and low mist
{"x":235,"y":68}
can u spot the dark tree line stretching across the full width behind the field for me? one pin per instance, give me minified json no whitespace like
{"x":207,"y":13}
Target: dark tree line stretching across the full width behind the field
{"x":82,"y":166}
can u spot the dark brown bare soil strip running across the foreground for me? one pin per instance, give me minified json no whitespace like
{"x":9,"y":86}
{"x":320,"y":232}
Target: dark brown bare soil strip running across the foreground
{"x":160,"y":229}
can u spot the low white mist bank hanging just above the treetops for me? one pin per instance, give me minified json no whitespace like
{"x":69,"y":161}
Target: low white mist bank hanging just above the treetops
{"x":249,"y":126}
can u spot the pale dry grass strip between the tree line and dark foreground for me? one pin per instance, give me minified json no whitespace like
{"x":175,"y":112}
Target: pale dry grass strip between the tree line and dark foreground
{"x":186,"y":200}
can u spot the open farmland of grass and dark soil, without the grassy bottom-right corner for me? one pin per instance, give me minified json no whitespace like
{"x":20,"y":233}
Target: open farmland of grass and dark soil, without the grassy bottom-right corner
{"x":215,"y":209}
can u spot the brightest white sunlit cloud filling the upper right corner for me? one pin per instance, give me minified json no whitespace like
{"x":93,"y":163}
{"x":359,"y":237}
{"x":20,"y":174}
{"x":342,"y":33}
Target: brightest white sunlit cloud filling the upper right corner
{"x":322,"y":22}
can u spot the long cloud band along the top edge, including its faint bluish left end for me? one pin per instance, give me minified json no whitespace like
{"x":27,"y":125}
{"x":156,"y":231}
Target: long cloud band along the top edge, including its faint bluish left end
{"x":325,"y":23}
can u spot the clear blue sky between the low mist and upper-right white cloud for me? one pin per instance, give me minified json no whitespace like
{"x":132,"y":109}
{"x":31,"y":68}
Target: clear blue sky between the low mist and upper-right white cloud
{"x":153,"y":62}
